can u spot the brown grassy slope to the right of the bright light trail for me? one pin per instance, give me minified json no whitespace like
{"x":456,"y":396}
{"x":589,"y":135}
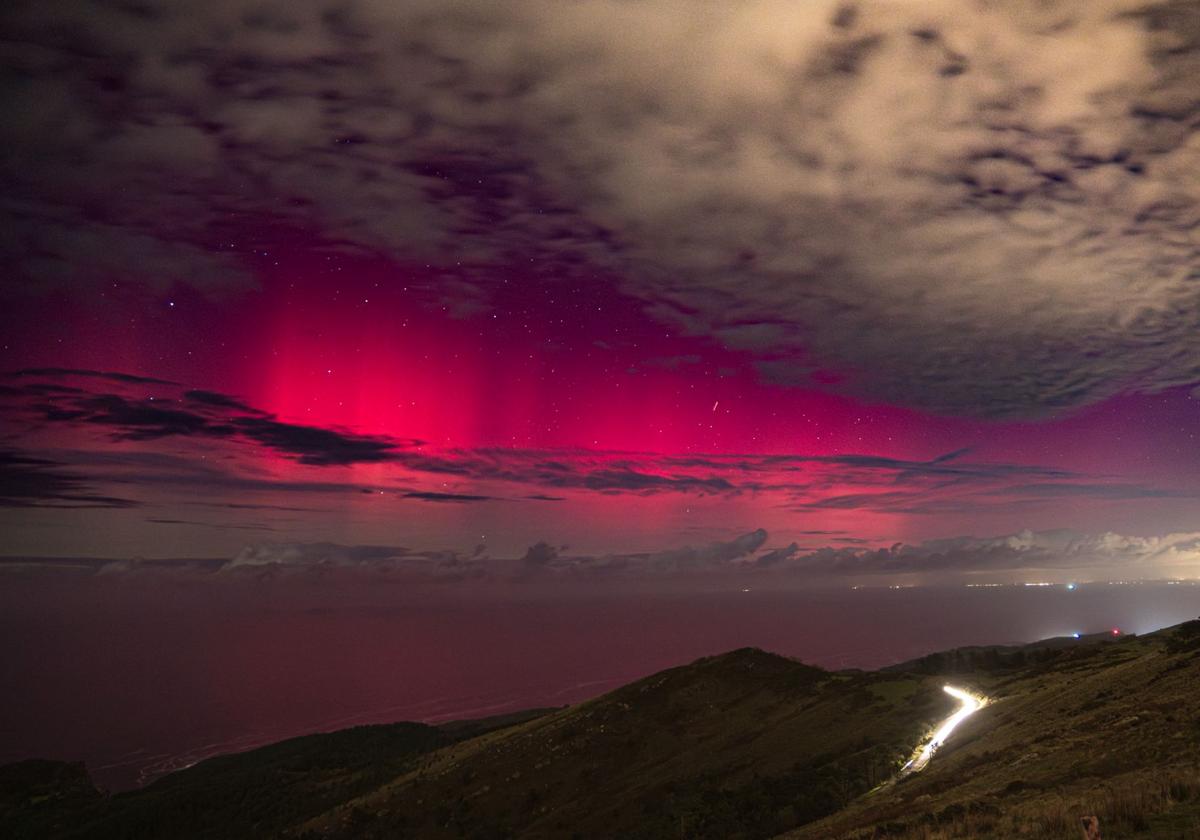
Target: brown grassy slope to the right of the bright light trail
{"x":1112,"y":730}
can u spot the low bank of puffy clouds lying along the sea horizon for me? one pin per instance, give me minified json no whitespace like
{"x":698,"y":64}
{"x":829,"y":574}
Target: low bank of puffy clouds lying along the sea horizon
{"x":1055,"y":555}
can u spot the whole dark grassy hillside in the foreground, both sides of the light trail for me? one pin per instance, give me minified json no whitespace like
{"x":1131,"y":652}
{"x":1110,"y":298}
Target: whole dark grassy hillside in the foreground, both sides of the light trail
{"x":747,"y":745}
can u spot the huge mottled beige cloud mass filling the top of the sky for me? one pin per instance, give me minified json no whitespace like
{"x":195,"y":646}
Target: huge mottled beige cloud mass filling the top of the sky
{"x":973,"y":208}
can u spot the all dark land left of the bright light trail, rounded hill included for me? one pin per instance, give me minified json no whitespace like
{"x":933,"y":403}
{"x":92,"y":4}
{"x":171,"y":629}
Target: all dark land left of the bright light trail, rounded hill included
{"x":746,"y":745}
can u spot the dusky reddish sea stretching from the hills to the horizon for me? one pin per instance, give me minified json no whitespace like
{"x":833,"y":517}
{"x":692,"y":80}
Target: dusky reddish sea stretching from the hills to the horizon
{"x":141,"y":680}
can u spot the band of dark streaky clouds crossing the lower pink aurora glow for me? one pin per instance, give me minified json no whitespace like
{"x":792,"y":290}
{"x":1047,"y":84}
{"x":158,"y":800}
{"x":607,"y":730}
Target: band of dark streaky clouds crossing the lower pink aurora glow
{"x":131,"y":433}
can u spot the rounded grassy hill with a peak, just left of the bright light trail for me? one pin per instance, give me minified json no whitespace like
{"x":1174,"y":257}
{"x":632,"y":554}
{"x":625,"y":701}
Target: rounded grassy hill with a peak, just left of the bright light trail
{"x":746,"y":745}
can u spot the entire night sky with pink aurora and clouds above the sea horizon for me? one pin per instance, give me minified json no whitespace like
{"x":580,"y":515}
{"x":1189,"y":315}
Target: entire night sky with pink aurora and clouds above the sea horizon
{"x":496,"y":293}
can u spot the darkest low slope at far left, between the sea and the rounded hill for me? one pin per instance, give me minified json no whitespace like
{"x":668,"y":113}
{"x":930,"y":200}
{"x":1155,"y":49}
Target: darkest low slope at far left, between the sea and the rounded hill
{"x":248,"y":795}
